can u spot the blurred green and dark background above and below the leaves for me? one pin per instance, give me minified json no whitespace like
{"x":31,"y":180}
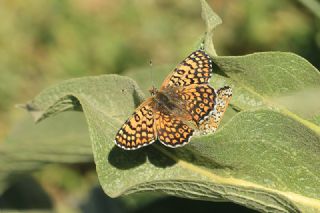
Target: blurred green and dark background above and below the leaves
{"x":44,"y":42}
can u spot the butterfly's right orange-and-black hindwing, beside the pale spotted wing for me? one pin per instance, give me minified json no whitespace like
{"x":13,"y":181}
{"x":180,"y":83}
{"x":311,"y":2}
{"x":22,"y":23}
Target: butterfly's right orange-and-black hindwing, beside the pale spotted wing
{"x":199,"y":101}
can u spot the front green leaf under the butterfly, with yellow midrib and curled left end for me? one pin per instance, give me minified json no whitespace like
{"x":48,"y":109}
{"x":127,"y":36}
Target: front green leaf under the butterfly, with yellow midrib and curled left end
{"x":255,"y":165}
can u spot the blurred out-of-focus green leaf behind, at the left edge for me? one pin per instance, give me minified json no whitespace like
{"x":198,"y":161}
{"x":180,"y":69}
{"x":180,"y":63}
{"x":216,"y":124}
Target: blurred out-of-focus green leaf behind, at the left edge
{"x":30,"y":146}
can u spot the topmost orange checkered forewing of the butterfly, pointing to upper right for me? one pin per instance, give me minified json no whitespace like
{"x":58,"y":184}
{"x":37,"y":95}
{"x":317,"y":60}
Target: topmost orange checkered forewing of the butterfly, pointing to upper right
{"x":195,"y":69}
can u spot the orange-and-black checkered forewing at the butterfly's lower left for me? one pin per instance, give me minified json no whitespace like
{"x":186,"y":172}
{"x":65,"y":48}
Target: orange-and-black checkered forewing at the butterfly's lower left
{"x":138,"y":130}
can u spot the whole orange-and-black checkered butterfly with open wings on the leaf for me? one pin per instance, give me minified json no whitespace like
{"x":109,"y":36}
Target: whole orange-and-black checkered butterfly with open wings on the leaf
{"x":184,"y":104}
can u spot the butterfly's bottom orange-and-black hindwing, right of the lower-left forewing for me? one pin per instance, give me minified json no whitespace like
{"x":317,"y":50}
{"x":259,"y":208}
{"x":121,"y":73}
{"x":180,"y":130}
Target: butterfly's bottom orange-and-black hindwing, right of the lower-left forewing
{"x":172,"y":131}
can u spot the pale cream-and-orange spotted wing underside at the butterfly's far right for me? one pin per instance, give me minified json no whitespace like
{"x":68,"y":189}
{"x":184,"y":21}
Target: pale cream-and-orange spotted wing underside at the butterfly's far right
{"x":223,"y":98}
